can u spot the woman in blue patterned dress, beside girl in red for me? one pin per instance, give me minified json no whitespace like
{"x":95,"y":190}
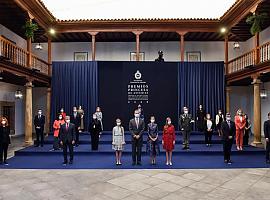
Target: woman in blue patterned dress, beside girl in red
{"x":152,"y":141}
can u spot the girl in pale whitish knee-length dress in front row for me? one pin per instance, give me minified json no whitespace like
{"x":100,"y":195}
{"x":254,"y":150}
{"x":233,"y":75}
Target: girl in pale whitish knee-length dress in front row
{"x":118,"y":140}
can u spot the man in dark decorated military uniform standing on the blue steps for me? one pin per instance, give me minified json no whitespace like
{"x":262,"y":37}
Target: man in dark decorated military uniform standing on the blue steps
{"x":185,"y":123}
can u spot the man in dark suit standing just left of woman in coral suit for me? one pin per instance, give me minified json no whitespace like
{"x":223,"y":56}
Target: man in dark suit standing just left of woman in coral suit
{"x":228,"y":132}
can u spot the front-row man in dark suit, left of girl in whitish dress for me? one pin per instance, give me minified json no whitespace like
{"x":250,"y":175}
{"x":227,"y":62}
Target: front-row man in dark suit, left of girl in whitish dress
{"x":67,"y":139}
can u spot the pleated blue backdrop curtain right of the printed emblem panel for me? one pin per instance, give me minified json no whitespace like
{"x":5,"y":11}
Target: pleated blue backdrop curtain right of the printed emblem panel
{"x":201,"y":83}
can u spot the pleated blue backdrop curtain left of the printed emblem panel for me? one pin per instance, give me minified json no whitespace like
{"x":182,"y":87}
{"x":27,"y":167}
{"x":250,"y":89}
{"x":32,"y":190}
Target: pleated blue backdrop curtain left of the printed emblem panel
{"x":74,"y":84}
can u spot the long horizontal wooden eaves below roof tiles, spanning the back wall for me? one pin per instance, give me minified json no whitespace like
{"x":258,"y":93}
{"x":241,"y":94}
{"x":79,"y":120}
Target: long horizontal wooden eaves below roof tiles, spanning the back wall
{"x":146,"y":26}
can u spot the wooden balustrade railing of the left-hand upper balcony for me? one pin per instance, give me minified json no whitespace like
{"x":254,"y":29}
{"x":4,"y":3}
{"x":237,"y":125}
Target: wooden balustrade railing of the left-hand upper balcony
{"x":19,"y":56}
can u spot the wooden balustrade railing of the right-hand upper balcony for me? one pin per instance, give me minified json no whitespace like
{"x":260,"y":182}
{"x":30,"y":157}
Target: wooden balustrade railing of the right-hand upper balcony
{"x":249,"y":59}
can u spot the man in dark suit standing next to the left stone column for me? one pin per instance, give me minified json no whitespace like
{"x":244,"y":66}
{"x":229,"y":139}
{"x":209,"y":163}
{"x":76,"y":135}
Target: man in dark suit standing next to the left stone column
{"x":39,"y":123}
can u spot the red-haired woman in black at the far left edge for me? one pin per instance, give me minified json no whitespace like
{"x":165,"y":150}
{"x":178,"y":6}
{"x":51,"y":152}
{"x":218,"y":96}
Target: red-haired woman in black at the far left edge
{"x":4,"y":139}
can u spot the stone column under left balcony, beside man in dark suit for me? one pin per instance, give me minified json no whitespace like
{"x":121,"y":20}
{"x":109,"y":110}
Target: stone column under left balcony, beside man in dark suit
{"x":28,"y":114}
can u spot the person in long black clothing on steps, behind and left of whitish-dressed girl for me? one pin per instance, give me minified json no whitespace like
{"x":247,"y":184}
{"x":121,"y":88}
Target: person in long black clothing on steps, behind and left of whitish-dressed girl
{"x":94,"y":129}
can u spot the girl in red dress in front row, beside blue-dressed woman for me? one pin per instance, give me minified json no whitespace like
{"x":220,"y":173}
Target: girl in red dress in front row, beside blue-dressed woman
{"x":168,"y":140}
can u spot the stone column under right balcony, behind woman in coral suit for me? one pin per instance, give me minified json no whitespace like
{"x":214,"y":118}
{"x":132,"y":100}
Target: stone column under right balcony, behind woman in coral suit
{"x":257,"y":111}
